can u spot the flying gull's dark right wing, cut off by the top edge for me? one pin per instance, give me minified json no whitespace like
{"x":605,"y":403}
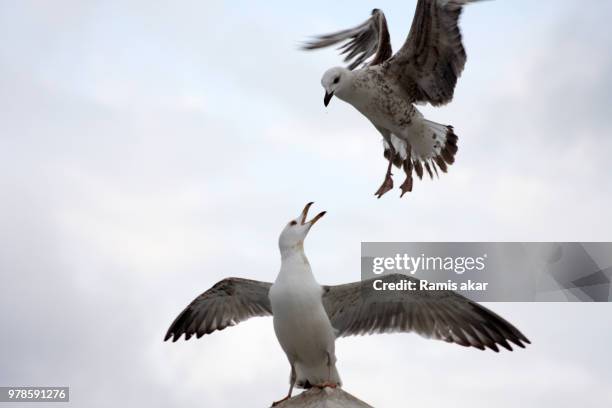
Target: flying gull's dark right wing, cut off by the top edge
{"x":432,"y":58}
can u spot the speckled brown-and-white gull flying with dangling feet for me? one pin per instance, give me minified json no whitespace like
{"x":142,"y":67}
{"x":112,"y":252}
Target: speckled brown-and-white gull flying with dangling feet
{"x":386,"y":87}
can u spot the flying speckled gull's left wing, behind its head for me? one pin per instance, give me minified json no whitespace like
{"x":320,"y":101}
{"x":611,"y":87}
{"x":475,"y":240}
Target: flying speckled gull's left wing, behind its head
{"x":369,"y":38}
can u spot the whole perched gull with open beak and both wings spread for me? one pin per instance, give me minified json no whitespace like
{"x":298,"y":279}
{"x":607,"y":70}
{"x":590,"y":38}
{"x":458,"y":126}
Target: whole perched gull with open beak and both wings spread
{"x":309,"y":317}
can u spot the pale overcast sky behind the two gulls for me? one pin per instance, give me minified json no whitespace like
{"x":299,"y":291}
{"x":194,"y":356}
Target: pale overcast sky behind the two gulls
{"x":149,"y":149}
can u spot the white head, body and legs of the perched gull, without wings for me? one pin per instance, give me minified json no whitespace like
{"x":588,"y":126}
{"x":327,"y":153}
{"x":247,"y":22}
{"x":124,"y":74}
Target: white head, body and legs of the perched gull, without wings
{"x":301,"y":323}
